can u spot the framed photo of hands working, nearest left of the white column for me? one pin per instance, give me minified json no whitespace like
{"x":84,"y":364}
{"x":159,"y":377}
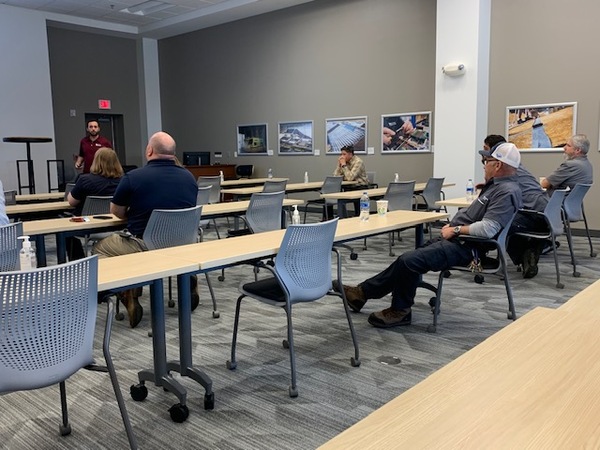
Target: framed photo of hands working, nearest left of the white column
{"x":406,"y":132}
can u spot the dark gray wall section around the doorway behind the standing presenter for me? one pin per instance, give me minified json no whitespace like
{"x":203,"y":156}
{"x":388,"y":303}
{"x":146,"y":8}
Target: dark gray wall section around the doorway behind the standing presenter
{"x":85,"y":67}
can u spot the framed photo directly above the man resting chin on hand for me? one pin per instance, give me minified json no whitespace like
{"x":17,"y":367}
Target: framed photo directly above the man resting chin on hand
{"x":346,"y":131}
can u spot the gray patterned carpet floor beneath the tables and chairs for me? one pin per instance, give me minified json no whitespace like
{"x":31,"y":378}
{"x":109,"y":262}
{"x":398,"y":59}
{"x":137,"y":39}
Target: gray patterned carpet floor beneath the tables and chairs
{"x":252,"y":406}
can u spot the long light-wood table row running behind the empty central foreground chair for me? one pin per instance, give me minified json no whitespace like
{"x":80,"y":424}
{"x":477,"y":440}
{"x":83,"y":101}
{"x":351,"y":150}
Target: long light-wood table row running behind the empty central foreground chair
{"x":150,"y":267}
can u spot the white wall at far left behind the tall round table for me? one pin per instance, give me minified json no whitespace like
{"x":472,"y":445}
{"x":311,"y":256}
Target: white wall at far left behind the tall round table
{"x":26,"y":97}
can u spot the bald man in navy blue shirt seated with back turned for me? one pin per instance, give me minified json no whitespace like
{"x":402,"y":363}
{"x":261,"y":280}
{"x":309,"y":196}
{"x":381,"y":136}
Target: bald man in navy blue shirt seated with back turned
{"x":161,"y":184}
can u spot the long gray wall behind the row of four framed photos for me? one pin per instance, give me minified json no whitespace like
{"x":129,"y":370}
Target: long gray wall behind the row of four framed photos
{"x":325,"y":59}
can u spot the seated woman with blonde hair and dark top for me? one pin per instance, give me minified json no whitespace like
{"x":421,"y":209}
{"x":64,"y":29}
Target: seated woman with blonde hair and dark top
{"x":105,"y":174}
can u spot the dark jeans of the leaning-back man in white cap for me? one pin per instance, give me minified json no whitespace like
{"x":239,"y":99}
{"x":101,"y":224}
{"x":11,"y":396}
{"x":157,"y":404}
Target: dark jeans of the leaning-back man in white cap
{"x":402,"y":277}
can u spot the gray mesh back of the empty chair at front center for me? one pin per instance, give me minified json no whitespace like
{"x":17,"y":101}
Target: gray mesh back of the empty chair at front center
{"x":303,"y":264}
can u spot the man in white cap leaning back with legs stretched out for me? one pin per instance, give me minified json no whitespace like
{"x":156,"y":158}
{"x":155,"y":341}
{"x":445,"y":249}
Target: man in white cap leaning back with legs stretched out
{"x":500,"y":197}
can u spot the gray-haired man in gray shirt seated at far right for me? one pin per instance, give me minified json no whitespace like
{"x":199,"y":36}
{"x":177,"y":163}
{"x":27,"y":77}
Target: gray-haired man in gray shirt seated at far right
{"x":575,"y":169}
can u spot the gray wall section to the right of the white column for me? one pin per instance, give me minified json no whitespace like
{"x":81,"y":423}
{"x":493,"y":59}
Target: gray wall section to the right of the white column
{"x":546,"y":51}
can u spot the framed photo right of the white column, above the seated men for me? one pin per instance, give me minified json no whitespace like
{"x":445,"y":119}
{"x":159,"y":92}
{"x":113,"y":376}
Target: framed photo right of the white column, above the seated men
{"x":541,"y":127}
